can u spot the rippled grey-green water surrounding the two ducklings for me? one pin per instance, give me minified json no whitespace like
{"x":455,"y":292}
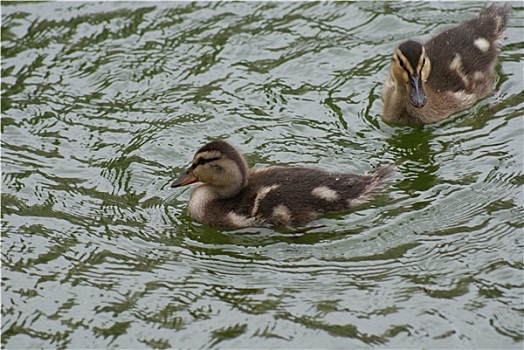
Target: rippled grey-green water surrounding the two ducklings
{"x":103,"y":104}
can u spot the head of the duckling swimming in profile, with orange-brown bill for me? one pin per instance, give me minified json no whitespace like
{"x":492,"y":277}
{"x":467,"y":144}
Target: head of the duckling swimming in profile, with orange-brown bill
{"x":219,"y":166}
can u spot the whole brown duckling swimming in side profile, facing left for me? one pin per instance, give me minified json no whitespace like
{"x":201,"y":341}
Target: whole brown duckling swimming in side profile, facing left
{"x":233,"y":195}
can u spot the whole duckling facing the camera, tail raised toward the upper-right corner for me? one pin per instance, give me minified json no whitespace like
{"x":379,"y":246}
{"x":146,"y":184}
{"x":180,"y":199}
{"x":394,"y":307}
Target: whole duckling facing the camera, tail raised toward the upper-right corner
{"x":454,"y":69}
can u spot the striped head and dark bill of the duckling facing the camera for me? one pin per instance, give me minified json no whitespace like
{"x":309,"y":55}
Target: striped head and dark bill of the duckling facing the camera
{"x":411,"y":66}
